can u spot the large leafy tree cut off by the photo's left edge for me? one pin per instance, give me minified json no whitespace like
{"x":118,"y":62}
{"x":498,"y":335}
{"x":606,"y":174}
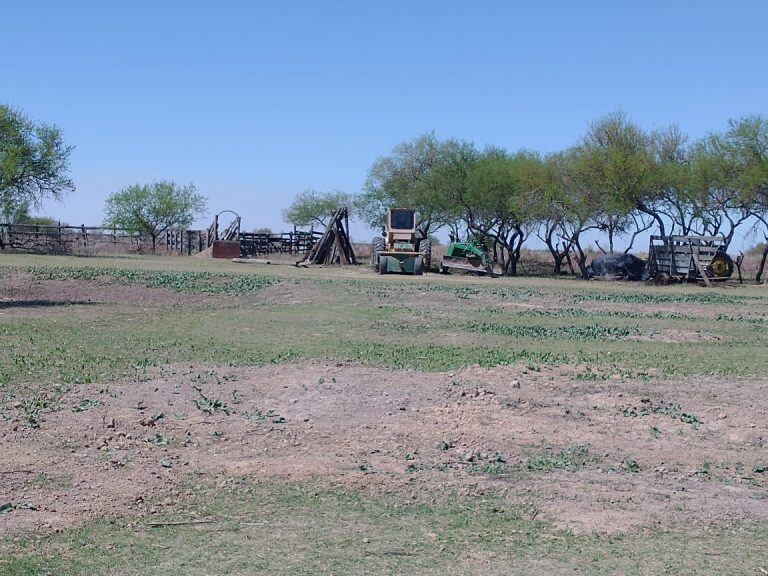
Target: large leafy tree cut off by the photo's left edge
{"x":34,"y":163}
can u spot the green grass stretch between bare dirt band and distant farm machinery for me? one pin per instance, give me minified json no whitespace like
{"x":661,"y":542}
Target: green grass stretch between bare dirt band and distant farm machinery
{"x":426,"y":325}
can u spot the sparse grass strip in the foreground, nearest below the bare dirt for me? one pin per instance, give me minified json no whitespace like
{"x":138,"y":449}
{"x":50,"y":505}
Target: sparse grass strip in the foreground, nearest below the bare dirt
{"x":296,"y":529}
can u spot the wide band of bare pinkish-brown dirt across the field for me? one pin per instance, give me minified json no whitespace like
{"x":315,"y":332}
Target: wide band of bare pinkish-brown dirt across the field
{"x":601,"y":456}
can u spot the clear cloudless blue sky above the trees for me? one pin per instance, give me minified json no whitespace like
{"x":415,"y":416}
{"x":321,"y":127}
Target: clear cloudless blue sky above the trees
{"x":256,"y":101}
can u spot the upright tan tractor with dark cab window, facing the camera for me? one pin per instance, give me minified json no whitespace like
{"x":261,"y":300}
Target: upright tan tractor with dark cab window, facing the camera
{"x":402,"y":248}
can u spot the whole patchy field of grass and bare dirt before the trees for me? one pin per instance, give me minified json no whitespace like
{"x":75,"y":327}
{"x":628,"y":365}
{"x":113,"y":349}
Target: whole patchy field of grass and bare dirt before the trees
{"x":193,"y":416}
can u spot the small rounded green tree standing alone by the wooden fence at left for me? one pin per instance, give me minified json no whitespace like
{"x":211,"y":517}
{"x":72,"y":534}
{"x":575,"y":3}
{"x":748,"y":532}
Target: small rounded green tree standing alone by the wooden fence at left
{"x":154,"y":208}
